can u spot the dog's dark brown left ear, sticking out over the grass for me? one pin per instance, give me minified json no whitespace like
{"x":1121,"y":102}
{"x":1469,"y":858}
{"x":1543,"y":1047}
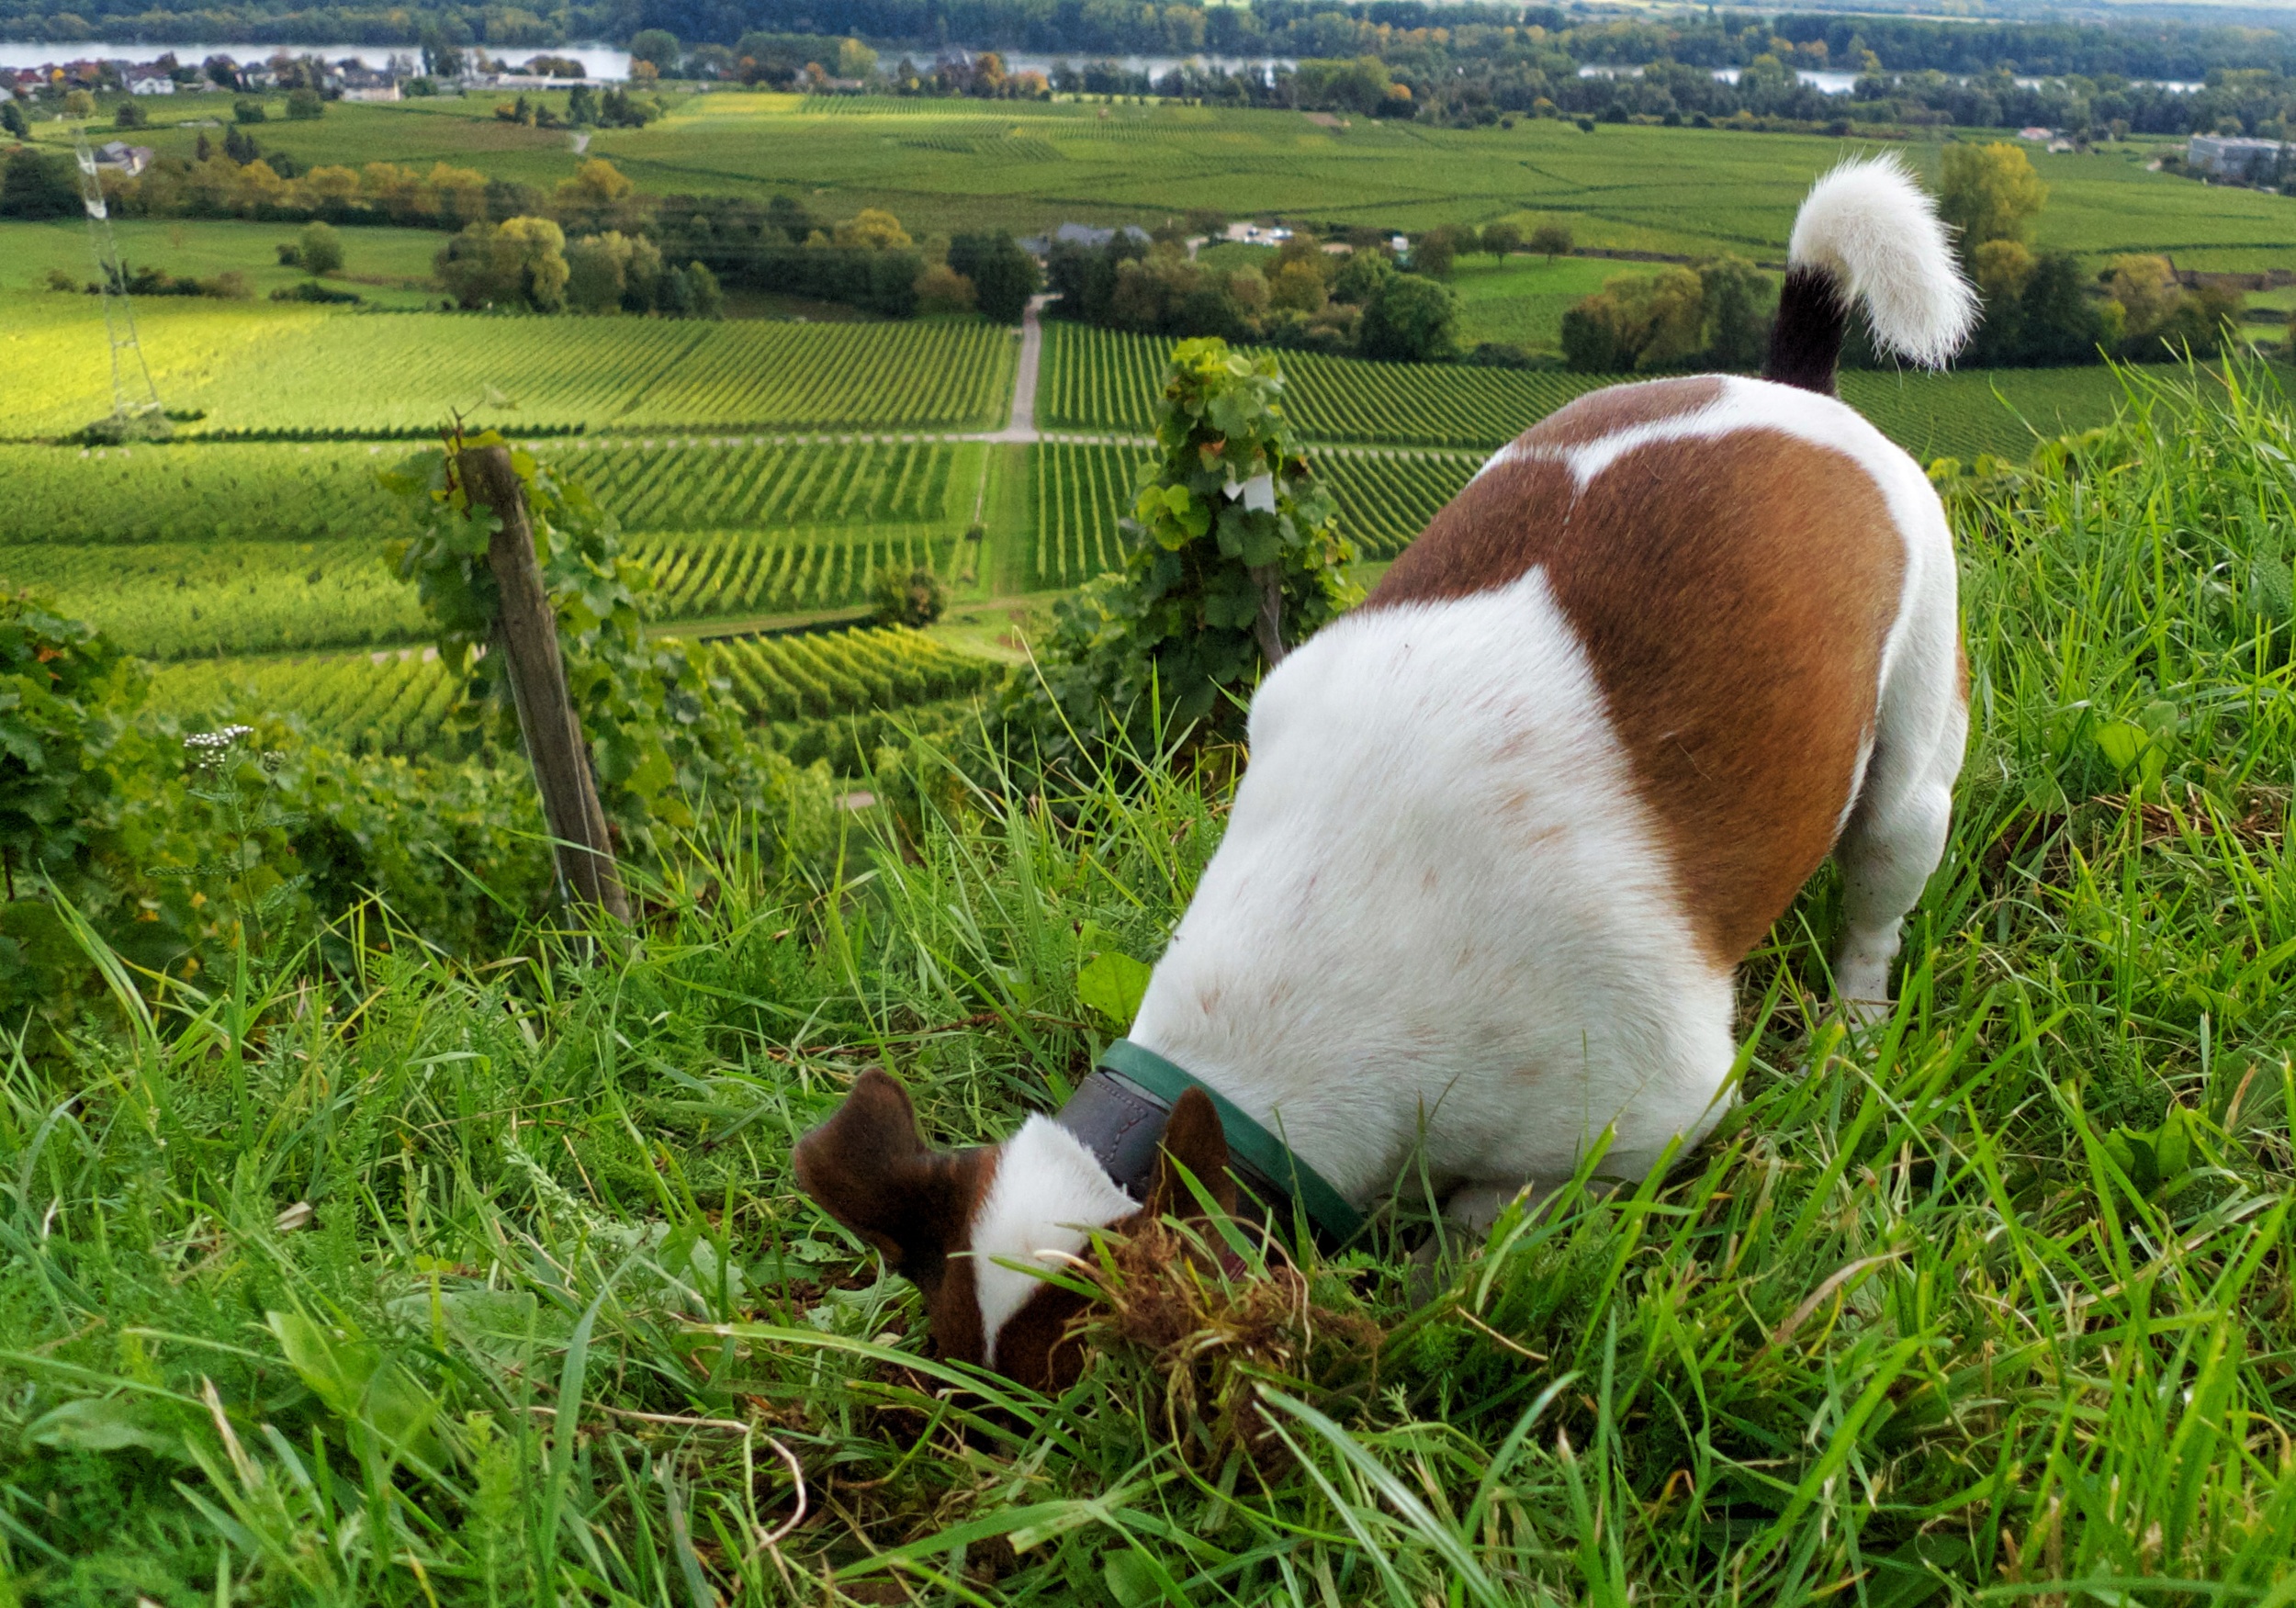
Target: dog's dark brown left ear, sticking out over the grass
{"x":874,"y":1173}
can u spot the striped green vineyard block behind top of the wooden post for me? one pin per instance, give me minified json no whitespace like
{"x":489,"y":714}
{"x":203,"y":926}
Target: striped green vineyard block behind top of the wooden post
{"x":279,"y":548}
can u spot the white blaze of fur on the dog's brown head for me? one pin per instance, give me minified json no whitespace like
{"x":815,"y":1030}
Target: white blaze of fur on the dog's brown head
{"x":1046,"y":1200}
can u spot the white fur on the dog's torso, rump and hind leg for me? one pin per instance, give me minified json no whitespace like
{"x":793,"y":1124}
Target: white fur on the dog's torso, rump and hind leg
{"x":1441,"y":909}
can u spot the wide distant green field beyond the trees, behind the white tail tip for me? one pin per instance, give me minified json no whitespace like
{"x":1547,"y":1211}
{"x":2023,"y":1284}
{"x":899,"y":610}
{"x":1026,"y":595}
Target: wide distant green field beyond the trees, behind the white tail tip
{"x":1622,"y":187}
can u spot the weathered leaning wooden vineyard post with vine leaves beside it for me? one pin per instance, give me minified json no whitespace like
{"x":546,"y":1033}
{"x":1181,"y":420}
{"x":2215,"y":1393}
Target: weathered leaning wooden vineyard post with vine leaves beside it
{"x":527,"y":637}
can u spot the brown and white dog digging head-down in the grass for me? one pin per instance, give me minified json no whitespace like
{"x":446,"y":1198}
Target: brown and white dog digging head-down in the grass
{"x":1512,"y":826}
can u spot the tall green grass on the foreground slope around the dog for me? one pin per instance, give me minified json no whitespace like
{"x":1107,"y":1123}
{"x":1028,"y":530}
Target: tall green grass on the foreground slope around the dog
{"x":417,"y":1281}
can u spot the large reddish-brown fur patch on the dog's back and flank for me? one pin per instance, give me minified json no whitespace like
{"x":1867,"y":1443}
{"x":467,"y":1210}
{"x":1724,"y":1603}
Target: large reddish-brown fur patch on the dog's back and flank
{"x":1735,"y":598}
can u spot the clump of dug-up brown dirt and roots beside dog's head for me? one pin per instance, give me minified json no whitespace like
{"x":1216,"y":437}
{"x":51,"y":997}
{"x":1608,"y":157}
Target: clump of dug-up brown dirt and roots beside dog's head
{"x":1213,"y":1327}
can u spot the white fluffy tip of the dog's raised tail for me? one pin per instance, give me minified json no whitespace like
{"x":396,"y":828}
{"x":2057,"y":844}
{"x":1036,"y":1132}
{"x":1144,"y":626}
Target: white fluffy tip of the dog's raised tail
{"x":1877,"y":231}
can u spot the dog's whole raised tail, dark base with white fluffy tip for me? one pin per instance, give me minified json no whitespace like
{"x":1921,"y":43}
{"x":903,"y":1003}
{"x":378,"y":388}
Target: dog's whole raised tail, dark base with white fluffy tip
{"x":1868,"y":235}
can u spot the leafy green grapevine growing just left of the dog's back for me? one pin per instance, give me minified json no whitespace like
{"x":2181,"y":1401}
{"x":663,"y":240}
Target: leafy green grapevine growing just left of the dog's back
{"x":1232,"y":555}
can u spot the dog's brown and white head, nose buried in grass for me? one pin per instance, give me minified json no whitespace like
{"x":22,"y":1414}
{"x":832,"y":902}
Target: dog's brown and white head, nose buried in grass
{"x":952,"y":1221}
